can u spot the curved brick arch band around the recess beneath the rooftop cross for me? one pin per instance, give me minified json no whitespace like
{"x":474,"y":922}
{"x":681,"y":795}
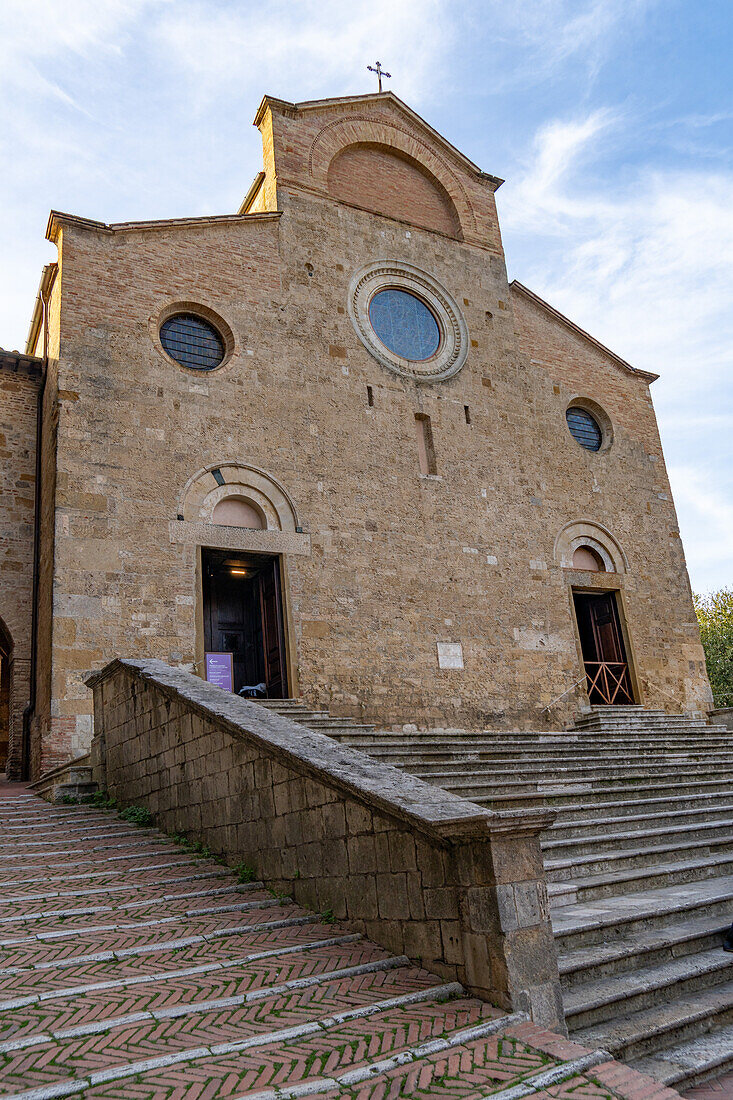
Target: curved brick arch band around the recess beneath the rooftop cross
{"x":362,"y":130}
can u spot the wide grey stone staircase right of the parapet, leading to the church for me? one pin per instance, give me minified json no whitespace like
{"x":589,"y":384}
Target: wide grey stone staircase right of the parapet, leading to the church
{"x":640,"y":870}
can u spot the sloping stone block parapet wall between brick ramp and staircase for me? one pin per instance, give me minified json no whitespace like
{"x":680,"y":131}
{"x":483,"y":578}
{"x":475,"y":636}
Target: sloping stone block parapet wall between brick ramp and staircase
{"x":417,"y":870}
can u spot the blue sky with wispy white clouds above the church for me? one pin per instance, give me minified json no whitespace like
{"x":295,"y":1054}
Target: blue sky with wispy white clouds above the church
{"x":611,"y":122}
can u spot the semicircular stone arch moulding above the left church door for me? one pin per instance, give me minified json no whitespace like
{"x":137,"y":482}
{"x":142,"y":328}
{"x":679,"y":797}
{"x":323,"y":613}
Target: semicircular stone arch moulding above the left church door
{"x":243,"y":483}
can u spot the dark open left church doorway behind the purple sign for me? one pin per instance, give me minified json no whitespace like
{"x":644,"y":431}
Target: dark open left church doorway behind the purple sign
{"x":244,"y":617}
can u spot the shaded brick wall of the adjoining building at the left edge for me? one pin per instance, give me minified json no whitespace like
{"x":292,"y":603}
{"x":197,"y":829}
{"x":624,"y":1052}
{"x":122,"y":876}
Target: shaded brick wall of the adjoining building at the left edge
{"x":19,"y":391}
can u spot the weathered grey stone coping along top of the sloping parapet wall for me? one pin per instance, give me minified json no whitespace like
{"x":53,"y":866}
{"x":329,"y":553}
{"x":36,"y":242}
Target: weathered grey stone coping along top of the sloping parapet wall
{"x":442,"y":816}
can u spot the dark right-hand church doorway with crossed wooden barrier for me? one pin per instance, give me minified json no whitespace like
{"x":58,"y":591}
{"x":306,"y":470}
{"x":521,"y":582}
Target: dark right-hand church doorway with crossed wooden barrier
{"x":603,"y":644}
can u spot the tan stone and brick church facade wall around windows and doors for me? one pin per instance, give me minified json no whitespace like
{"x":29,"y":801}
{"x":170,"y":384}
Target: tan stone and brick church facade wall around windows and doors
{"x":399,"y":563}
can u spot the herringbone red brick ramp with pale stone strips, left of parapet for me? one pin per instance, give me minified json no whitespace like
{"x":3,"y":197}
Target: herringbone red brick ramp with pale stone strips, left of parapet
{"x":133,"y":971}
